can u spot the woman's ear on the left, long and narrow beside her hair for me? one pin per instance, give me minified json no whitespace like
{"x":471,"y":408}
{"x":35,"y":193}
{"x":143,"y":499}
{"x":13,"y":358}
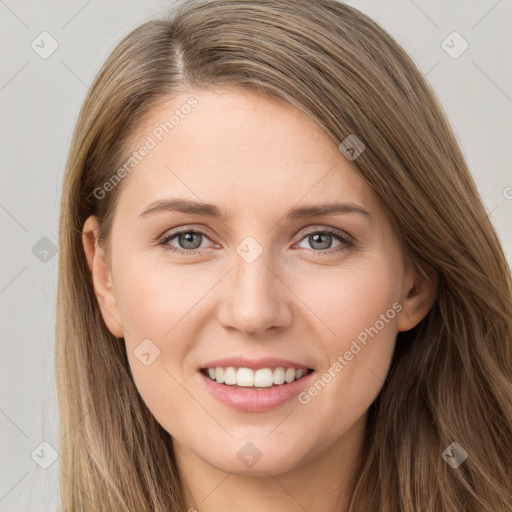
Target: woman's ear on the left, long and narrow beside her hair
{"x":101,"y":277}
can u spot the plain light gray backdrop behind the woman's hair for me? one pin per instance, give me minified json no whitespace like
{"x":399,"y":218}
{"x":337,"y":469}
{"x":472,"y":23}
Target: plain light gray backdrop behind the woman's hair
{"x":40,"y":100}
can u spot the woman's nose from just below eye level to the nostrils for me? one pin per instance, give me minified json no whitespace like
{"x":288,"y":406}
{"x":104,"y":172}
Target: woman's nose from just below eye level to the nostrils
{"x":255,"y":298}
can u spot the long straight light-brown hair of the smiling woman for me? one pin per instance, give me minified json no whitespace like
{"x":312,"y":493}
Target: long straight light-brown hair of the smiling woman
{"x":451,"y":376}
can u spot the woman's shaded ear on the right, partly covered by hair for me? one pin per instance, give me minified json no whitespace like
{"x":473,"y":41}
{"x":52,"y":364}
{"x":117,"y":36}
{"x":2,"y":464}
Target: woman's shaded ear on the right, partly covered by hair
{"x":418,"y":296}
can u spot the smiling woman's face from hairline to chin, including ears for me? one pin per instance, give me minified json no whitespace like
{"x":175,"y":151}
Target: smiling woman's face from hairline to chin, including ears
{"x":255,"y":281}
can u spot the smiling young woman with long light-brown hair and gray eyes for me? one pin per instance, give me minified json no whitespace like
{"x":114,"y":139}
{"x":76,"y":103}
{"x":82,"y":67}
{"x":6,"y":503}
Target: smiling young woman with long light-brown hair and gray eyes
{"x":278,"y":284}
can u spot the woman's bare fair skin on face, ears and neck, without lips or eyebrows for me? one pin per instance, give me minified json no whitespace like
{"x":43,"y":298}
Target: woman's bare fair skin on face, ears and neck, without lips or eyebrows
{"x":254,"y":158}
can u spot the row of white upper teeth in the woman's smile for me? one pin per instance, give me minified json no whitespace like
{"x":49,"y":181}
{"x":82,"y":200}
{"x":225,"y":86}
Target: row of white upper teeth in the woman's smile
{"x":261,"y":378}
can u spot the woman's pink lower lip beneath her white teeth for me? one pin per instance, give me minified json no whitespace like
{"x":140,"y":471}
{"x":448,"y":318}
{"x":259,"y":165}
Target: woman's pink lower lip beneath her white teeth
{"x":256,"y":399}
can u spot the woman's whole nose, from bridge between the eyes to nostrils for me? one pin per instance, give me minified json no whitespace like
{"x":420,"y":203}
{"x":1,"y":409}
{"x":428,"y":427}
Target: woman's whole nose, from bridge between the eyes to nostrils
{"x":255,"y":299}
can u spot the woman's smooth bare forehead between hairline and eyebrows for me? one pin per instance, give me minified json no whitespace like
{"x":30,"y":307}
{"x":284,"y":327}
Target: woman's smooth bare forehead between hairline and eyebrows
{"x":239,"y":147}
